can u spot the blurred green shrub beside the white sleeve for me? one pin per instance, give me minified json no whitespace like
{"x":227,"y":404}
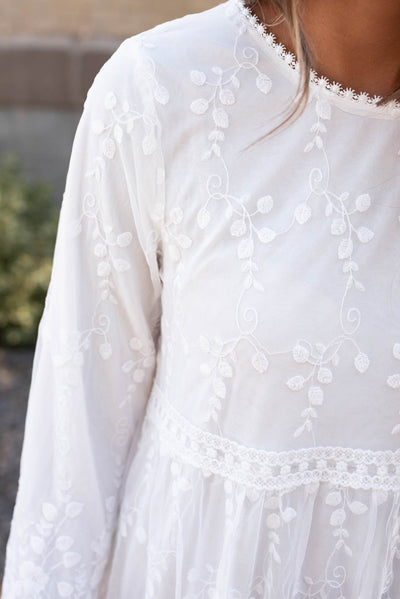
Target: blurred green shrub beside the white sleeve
{"x":28,"y":227}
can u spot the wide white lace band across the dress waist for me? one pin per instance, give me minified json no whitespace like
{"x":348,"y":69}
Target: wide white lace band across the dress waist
{"x":261,"y":469}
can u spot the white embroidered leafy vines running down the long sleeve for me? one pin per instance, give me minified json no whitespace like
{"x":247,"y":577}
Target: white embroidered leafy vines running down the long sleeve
{"x":49,"y":538}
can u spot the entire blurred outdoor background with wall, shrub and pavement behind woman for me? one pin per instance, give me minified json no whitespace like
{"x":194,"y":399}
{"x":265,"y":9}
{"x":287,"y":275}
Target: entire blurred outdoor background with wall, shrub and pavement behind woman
{"x":50,"y":51}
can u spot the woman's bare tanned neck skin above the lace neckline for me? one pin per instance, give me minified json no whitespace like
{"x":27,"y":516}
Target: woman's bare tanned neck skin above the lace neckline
{"x":355,"y":43}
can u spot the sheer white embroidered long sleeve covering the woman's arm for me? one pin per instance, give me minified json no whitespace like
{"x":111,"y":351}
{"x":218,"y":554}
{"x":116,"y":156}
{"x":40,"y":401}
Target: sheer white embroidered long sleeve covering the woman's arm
{"x":96,"y":350}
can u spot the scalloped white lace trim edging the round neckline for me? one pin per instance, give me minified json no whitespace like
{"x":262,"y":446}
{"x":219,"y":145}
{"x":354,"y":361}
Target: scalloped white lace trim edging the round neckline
{"x":362,"y":98}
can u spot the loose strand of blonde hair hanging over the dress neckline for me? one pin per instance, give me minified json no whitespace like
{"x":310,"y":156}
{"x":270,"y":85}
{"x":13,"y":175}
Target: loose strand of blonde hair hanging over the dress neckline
{"x":289,"y":12}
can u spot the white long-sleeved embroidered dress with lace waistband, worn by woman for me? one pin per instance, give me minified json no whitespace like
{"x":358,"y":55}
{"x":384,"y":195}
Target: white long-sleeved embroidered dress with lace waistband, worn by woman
{"x":214,"y":409}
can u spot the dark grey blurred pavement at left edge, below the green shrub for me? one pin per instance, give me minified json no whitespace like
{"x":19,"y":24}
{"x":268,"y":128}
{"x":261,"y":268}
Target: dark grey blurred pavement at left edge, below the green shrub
{"x":15,"y":376}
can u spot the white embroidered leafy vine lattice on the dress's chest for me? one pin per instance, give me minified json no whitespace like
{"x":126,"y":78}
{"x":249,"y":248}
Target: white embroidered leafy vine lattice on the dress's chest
{"x":321,"y":357}
